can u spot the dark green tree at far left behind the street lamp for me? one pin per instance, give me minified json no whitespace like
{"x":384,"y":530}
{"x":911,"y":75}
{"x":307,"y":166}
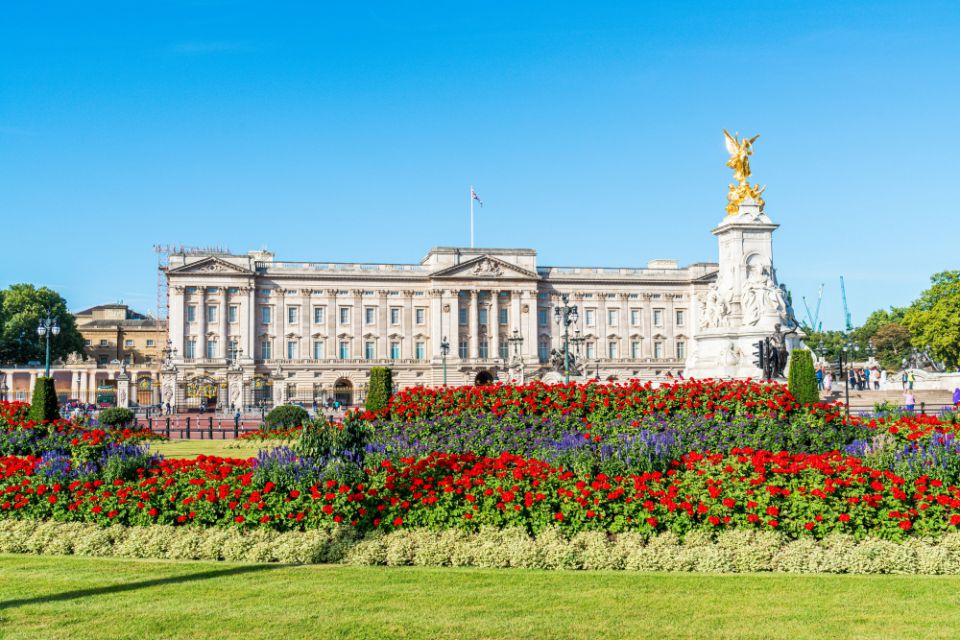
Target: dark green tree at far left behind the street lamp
{"x":21,"y":307}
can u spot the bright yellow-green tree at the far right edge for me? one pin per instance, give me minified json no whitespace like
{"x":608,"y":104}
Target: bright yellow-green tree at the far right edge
{"x":934,"y":318}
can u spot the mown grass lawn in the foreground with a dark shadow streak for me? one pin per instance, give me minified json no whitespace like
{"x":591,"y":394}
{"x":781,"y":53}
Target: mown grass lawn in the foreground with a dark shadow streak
{"x":78,"y":598}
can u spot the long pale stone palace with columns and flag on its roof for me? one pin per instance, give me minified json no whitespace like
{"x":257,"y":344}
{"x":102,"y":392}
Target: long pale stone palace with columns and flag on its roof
{"x":252,"y":330}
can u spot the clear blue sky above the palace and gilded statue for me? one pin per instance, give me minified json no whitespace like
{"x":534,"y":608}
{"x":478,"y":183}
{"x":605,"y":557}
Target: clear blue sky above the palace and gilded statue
{"x":351,"y":132}
